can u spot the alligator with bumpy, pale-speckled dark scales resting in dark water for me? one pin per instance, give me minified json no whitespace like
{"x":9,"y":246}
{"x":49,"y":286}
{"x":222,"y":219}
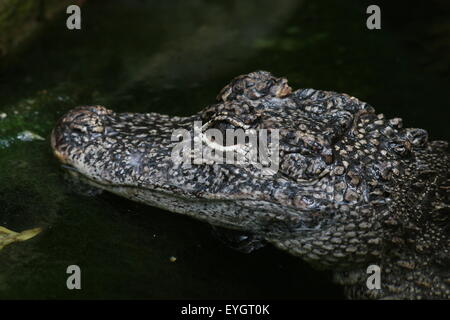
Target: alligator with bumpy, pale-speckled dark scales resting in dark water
{"x":352,"y":189}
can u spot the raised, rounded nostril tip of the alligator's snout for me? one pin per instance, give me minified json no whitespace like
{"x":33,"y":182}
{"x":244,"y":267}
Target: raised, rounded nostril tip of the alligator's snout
{"x":76,"y":128}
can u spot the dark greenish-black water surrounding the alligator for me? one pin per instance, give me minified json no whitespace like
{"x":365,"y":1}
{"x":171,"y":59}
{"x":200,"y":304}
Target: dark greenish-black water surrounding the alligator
{"x":173,"y":57}
